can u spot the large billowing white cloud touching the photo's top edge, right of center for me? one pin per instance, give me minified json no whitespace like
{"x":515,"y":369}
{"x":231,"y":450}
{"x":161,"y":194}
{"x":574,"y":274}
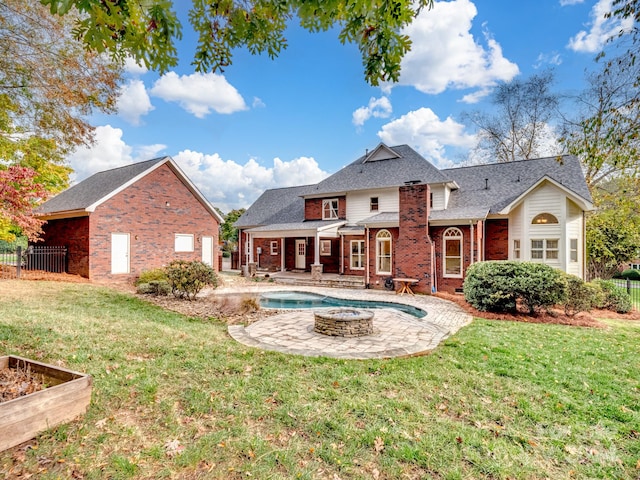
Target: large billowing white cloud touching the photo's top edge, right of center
{"x":444,"y":53}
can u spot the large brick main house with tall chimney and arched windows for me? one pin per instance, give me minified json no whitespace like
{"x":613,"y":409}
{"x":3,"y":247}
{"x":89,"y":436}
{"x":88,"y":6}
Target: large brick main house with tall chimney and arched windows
{"x":391,"y":214}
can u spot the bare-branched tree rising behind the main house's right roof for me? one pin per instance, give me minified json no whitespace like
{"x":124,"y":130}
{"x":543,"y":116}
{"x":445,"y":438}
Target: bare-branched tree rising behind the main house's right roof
{"x":519,"y":127}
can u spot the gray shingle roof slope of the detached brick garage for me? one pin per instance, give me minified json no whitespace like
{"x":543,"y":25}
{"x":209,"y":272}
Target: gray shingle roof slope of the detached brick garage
{"x":94,"y":188}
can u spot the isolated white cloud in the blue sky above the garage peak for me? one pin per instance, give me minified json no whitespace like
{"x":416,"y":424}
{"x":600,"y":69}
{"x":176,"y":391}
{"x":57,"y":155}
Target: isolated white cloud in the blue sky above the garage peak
{"x":199,"y":93}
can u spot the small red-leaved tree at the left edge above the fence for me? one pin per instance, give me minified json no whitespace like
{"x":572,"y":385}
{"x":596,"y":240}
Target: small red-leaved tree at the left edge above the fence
{"x":19,"y":194}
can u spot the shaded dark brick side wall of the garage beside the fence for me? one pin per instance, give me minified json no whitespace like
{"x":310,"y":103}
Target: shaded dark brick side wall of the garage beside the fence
{"x":72,"y":233}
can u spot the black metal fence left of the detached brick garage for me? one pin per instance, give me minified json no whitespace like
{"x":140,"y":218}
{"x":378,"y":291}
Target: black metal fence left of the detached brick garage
{"x":15,"y":260}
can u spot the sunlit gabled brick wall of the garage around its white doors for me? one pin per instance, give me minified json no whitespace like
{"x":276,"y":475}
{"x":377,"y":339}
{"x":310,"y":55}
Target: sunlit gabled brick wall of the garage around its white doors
{"x":151,"y":211}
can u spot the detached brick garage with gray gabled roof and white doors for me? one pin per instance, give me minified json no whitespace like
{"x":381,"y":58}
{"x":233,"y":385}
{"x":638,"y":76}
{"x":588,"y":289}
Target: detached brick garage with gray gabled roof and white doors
{"x":120,"y":222}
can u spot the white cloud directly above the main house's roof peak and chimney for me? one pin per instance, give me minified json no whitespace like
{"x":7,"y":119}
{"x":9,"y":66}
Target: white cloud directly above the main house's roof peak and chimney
{"x":424,"y":131}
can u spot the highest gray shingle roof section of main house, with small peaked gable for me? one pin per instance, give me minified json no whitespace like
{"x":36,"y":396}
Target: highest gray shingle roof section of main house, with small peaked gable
{"x":394,"y":172}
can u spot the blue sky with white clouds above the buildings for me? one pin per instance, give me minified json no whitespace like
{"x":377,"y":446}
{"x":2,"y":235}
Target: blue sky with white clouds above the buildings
{"x":294,"y":120}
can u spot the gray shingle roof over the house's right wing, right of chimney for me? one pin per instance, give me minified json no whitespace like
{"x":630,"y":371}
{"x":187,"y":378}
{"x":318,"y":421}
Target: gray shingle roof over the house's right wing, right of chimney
{"x":507,"y":181}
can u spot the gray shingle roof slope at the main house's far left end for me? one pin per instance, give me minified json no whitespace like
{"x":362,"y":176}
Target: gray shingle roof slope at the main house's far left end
{"x":278,"y":205}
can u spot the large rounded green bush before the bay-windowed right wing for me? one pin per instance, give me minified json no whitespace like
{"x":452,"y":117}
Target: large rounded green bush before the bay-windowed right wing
{"x":497,"y":286}
